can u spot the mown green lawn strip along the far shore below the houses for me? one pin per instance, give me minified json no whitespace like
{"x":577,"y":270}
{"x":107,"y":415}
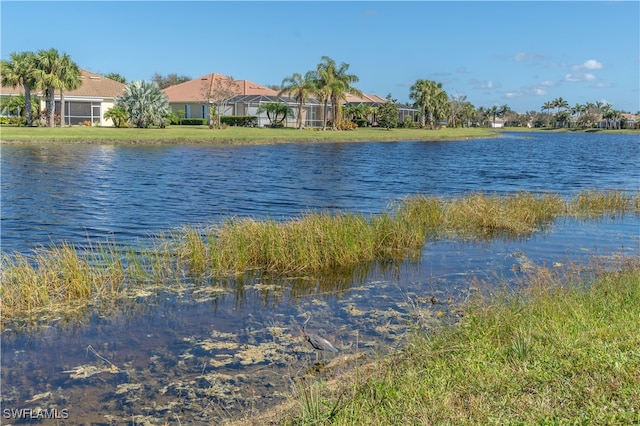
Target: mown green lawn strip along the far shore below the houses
{"x":202,"y":134}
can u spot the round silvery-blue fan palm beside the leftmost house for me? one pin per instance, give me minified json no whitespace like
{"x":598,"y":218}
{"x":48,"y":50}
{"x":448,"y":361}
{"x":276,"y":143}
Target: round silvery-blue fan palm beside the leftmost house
{"x":144,"y":103}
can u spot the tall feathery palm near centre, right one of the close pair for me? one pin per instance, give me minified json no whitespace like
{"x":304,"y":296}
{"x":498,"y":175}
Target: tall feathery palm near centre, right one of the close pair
{"x":338,"y":82}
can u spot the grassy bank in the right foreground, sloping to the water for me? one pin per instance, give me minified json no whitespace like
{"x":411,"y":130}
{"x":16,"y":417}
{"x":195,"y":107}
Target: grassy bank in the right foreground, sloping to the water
{"x":564,"y":349}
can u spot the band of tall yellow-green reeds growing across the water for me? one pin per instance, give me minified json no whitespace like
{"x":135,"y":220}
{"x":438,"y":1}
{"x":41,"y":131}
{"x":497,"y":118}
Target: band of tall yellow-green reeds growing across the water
{"x":62,"y":276}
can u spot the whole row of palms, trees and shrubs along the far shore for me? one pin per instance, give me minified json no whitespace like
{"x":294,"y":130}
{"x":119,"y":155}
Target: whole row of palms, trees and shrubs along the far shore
{"x":329,"y":82}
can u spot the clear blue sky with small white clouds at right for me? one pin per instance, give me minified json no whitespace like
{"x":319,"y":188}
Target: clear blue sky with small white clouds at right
{"x":522,"y":54}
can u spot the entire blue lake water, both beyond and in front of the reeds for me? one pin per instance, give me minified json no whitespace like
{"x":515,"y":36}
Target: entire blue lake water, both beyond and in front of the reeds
{"x":213,"y":351}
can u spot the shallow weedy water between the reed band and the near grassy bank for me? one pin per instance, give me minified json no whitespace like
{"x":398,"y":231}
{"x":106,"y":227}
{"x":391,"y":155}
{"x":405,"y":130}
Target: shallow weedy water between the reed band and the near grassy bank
{"x":212,"y":352}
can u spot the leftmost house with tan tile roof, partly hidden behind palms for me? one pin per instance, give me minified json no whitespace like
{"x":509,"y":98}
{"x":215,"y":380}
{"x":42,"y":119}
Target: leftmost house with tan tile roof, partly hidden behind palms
{"x":88,"y":103}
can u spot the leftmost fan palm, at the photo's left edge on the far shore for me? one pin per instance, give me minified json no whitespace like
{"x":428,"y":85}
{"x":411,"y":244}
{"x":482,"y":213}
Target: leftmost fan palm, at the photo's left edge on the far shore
{"x":20,"y":71}
